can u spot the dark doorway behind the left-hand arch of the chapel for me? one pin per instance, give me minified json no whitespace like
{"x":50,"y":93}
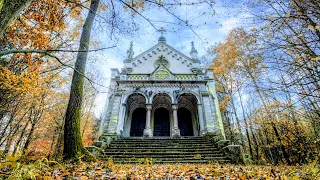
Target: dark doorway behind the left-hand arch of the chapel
{"x":138,"y":122}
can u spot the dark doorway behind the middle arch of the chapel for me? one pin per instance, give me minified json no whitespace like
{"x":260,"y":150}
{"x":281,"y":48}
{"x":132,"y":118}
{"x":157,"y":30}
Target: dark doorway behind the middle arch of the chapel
{"x":161,"y":122}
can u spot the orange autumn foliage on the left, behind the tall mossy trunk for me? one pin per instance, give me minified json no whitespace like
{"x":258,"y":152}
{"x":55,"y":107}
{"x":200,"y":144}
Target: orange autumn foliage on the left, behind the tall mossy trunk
{"x":33,"y":100}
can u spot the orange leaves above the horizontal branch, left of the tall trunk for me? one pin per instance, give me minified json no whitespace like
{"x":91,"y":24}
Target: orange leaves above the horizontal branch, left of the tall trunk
{"x":42,"y":25}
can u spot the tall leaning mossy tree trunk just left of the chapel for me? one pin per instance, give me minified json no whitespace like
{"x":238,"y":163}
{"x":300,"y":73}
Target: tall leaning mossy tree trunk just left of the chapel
{"x":73,"y":145}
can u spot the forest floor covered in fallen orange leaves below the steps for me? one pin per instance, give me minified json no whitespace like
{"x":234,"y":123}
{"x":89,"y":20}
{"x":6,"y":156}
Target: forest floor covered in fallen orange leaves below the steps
{"x":44,"y":169}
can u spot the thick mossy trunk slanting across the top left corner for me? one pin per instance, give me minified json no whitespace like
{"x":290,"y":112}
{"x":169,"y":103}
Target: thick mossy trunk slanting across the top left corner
{"x":9,"y":9}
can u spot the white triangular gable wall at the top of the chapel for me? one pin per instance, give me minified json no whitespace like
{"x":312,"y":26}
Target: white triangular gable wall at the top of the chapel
{"x":145,"y":63}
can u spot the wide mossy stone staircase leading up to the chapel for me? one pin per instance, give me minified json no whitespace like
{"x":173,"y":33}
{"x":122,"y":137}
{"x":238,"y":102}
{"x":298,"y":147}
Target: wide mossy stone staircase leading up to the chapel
{"x":163,"y":150}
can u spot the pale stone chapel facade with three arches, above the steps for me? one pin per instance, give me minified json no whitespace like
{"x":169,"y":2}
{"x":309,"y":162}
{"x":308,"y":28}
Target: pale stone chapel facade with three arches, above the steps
{"x":162,"y":92}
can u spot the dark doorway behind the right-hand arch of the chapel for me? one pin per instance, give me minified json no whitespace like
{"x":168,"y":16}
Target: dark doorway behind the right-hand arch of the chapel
{"x":185,"y":122}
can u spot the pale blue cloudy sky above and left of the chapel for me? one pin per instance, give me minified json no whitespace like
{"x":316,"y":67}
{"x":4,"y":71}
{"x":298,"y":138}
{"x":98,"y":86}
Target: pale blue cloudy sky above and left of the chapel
{"x":209,"y":25}
